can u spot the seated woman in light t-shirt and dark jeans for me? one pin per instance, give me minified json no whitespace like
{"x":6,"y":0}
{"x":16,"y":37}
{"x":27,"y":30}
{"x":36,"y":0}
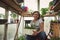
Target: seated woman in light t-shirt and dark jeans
{"x":39,"y":32}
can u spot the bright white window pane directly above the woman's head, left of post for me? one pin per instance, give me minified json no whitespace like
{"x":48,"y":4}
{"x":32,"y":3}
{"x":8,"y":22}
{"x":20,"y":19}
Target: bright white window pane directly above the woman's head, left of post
{"x":31,"y":4}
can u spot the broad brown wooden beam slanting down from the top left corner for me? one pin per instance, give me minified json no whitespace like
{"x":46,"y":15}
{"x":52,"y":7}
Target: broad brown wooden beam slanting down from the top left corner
{"x":11,"y":3}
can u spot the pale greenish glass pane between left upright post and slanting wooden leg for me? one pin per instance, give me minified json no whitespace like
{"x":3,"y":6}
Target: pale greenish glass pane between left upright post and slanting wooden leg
{"x":11,"y":31}
